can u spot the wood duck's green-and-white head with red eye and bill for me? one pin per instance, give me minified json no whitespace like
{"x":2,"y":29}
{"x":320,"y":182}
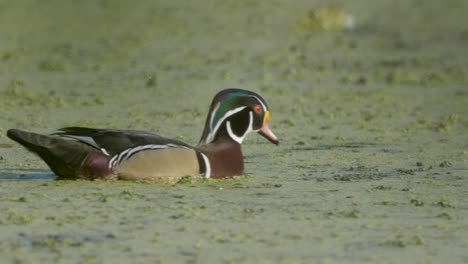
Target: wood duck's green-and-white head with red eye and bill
{"x":234,"y":113}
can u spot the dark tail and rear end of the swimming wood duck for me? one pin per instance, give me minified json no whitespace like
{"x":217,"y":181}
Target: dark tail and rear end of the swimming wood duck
{"x":63,"y":156}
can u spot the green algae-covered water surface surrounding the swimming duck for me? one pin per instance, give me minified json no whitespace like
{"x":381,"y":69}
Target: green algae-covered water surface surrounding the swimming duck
{"x":370,"y":99}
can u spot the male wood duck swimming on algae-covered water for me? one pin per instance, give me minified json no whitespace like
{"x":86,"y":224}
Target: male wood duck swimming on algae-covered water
{"x":87,"y":153}
